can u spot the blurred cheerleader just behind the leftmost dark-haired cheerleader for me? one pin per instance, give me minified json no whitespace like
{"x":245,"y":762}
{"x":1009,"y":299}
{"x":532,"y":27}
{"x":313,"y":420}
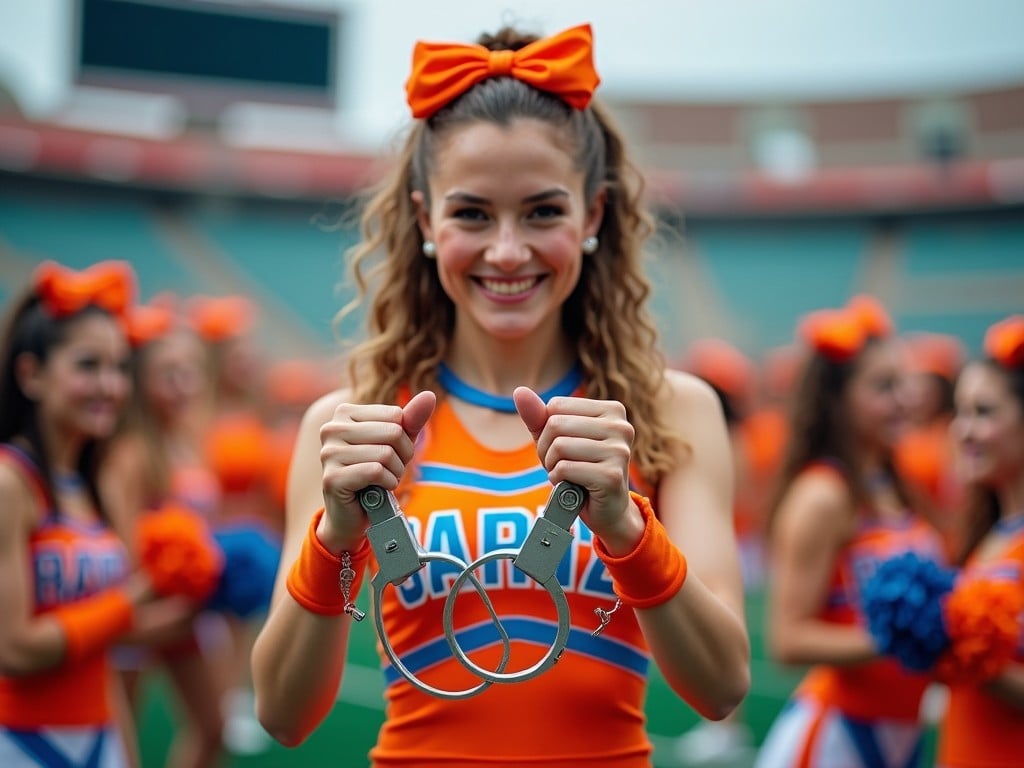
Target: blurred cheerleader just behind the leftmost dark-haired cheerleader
{"x":158,"y":463}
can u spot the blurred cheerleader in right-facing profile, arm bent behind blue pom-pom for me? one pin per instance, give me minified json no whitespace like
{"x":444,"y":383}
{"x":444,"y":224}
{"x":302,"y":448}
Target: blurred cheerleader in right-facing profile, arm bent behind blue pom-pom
{"x":840,"y":511}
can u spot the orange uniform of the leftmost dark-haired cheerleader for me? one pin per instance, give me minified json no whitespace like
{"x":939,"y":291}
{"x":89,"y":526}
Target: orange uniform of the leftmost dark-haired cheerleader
{"x":69,"y":562}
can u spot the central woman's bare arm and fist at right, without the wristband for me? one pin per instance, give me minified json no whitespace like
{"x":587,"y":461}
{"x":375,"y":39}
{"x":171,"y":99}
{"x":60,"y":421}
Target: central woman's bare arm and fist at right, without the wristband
{"x":698,"y":636}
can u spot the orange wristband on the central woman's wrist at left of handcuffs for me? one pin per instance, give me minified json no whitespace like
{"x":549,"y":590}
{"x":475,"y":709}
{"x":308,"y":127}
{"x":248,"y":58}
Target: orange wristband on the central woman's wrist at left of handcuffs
{"x":323,"y":583}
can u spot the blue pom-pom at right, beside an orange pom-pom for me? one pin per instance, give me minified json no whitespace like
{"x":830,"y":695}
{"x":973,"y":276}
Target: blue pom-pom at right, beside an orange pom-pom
{"x":903,"y":605}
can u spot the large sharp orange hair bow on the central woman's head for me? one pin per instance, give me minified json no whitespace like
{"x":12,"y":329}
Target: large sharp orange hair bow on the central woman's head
{"x":563,"y":65}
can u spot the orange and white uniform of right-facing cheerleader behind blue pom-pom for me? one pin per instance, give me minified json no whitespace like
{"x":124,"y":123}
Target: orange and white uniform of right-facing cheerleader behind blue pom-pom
{"x":841,"y":709}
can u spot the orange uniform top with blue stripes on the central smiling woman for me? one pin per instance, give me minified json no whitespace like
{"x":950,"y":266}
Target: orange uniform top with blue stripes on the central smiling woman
{"x":467,"y":500}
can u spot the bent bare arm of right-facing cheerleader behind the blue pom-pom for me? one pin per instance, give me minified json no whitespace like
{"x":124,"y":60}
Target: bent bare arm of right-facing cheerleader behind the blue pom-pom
{"x":814,"y":524}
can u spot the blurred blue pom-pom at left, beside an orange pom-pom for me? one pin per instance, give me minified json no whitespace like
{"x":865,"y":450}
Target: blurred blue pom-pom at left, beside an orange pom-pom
{"x":251,"y":558}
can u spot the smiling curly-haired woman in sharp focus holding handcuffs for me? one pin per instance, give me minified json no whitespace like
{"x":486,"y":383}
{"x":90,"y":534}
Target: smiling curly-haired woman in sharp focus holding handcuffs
{"x":510,"y":350}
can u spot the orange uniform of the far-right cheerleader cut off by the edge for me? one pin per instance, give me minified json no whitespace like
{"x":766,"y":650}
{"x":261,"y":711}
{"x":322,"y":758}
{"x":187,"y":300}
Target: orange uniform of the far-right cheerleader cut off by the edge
{"x":980,"y":731}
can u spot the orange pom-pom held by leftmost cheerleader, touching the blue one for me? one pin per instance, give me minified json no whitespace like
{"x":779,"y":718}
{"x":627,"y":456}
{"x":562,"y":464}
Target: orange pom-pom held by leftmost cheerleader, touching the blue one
{"x":179,"y":552}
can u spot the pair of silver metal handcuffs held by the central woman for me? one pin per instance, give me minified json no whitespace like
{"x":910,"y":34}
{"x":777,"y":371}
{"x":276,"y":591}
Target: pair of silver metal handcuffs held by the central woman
{"x":400,"y":556}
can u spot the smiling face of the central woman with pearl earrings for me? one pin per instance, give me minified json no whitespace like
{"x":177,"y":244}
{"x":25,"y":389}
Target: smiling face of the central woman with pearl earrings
{"x":527,"y":216}
